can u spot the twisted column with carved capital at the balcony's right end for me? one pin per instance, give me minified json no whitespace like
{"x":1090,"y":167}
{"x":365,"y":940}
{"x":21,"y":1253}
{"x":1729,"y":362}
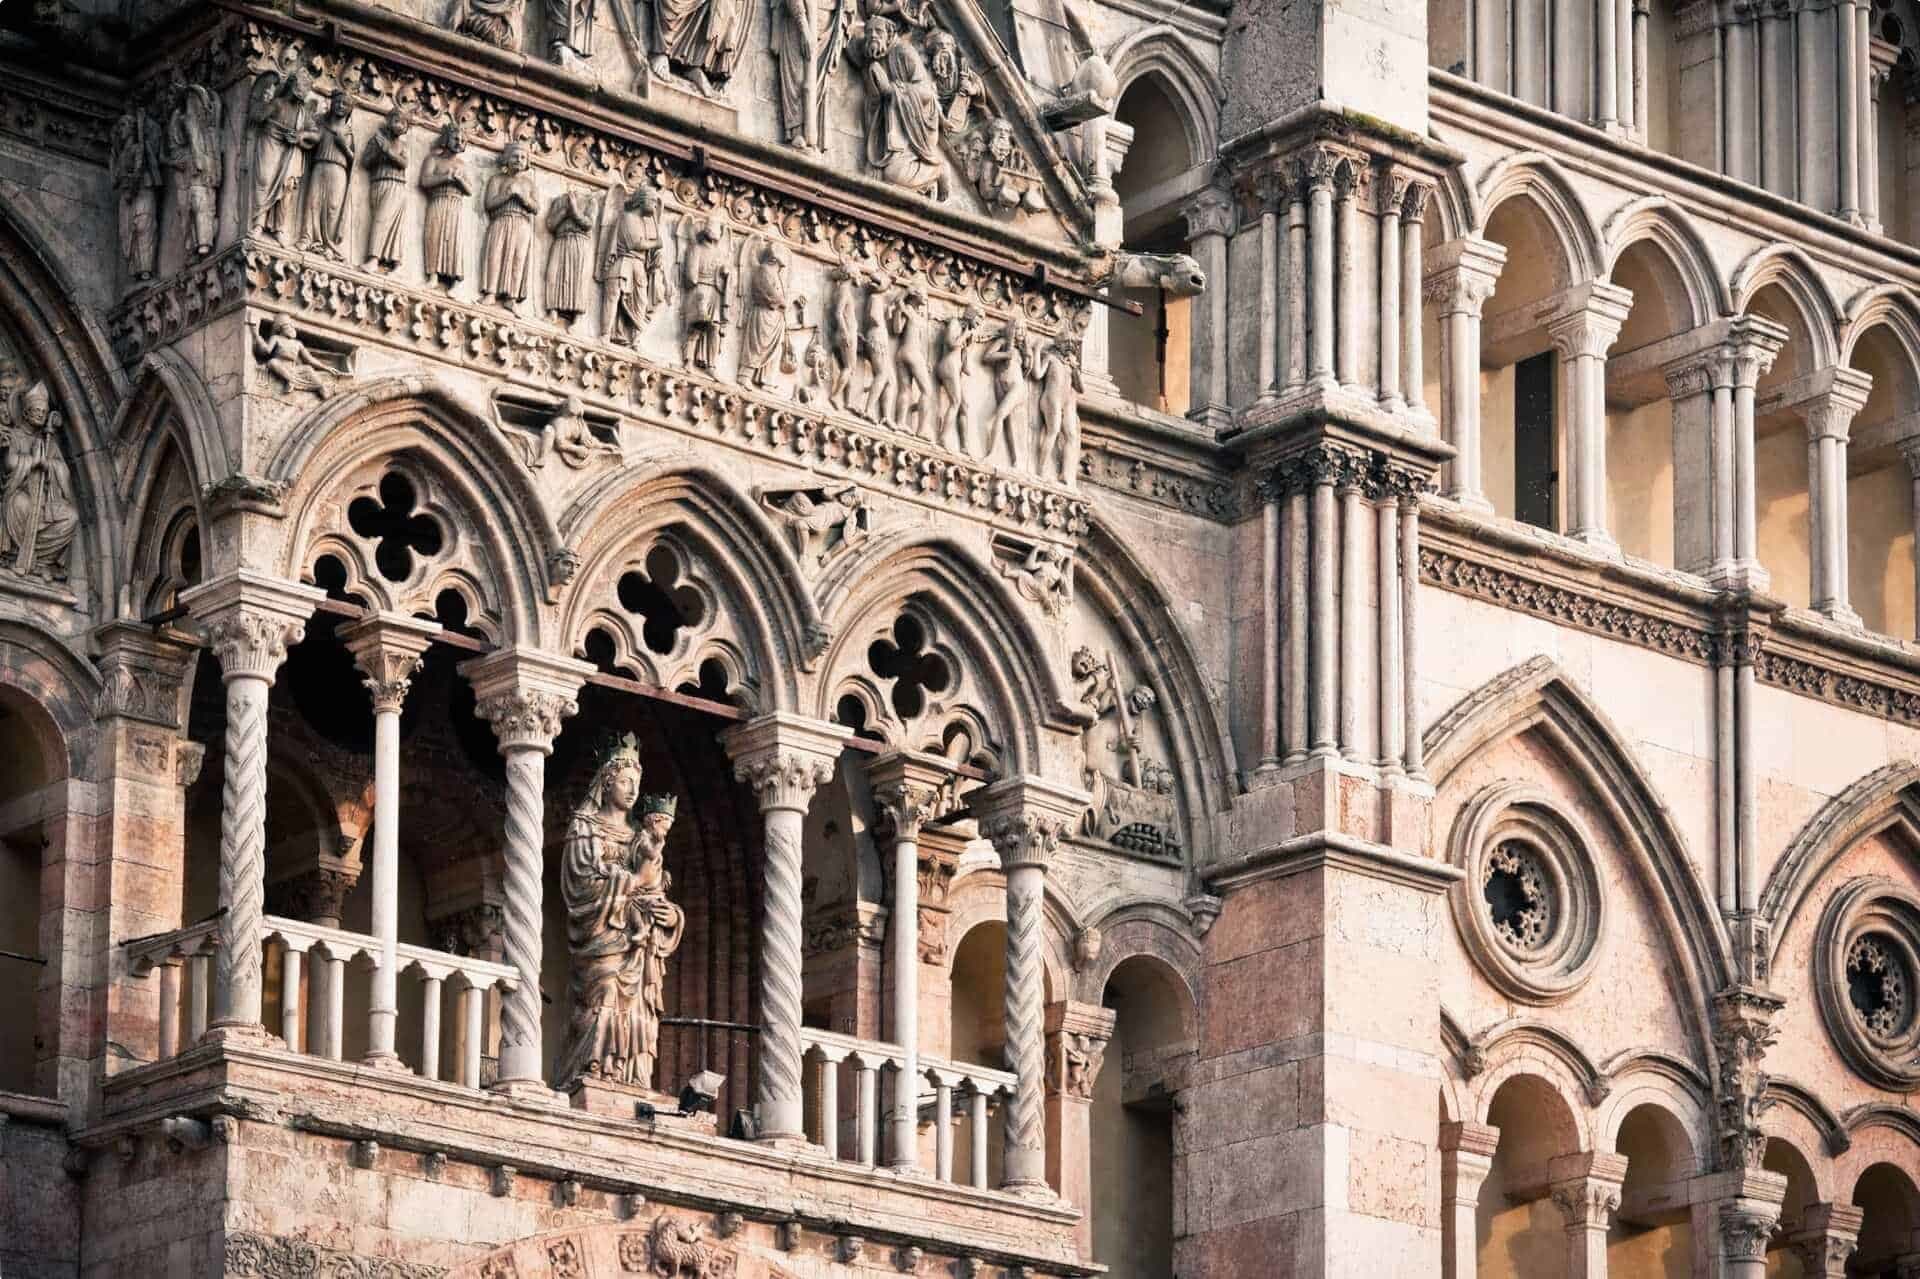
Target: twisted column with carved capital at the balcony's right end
{"x":1026,"y":819}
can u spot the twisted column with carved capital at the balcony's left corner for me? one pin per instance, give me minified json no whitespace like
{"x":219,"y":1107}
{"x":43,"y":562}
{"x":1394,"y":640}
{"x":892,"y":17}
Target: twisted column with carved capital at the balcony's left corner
{"x":251,"y":621}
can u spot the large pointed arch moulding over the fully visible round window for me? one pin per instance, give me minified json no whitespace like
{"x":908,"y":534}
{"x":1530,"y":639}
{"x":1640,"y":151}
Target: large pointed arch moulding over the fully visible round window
{"x":1539,"y":696}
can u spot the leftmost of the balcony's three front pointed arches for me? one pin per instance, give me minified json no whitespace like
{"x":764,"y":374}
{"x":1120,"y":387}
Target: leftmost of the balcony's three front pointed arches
{"x":423,"y":420}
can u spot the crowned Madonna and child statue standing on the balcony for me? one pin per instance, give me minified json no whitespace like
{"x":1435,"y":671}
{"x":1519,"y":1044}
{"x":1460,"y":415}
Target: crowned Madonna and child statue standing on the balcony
{"x":621,"y":929}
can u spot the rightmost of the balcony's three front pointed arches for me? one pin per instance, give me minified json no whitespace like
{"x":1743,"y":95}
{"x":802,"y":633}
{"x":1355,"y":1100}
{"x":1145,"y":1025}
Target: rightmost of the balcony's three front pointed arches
{"x":996,"y":639}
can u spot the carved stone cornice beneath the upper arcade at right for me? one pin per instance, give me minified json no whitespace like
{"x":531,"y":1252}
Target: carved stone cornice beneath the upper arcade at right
{"x":1656,"y":612}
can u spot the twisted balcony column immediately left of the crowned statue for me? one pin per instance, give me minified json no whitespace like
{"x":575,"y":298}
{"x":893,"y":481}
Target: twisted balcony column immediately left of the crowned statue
{"x":525,"y":696}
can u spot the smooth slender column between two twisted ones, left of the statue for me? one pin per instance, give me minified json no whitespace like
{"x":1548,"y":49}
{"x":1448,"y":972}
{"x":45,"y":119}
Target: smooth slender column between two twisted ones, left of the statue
{"x":389,"y":650}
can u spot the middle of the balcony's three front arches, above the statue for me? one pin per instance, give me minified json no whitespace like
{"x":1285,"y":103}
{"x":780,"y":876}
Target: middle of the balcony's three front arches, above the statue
{"x":780,"y":625}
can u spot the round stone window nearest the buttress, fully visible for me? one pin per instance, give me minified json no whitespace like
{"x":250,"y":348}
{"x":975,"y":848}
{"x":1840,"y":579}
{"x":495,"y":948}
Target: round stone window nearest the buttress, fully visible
{"x":1529,"y":905}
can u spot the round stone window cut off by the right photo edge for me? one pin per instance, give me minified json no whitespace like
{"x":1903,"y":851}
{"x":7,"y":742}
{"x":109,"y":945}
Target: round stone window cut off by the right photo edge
{"x":1865,"y":961}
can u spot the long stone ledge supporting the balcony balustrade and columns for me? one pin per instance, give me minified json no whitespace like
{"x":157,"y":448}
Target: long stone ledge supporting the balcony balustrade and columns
{"x":627,"y":1157}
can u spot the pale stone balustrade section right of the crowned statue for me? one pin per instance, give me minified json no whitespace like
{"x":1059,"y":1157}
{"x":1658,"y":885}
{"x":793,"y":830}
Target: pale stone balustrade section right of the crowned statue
{"x":944,"y":1082}
